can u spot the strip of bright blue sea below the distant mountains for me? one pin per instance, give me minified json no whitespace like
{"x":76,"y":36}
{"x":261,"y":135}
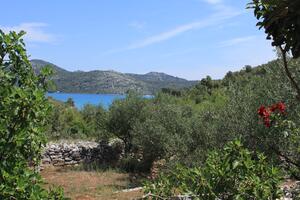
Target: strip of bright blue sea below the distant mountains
{"x":81,"y":99}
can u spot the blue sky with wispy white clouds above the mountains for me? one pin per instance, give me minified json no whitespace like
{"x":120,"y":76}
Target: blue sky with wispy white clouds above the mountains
{"x":185,"y":38}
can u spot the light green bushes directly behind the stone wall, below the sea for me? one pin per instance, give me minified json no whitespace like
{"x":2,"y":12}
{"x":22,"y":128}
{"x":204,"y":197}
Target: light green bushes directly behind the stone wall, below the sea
{"x":66,"y":122}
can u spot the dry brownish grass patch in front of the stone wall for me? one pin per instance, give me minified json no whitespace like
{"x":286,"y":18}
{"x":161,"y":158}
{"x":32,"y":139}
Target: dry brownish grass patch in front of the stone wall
{"x":92,"y":185}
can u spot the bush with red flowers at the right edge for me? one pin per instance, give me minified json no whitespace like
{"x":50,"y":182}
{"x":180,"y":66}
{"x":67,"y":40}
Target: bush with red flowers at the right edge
{"x":283,"y":137}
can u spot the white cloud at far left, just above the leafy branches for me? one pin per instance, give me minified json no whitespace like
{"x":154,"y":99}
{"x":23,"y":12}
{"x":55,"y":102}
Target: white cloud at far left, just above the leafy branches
{"x":34,"y":32}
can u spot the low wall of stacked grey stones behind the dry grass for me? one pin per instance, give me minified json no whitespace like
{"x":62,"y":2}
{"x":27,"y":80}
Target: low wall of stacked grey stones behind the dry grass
{"x":65,"y":153}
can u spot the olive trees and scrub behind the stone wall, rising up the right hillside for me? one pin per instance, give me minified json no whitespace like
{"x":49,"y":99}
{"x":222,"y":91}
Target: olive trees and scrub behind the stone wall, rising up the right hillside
{"x":181,"y":130}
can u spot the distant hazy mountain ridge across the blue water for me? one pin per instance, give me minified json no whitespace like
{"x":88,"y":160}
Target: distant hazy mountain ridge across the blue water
{"x":110,"y":81}
